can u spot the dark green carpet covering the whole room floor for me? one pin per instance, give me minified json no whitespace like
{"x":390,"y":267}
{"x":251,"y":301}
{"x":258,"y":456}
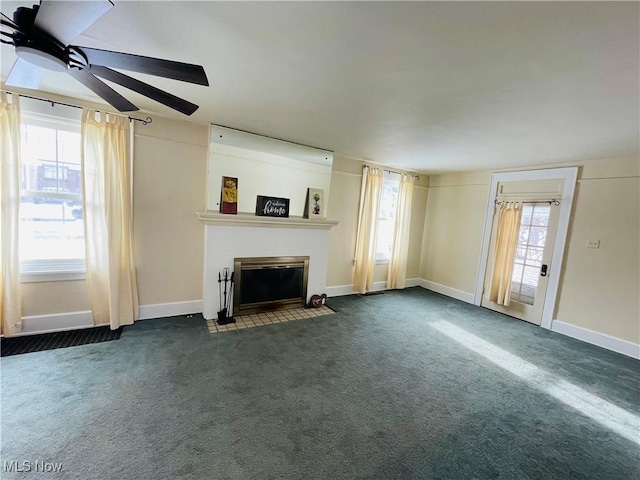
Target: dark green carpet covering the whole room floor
{"x":374,"y":391}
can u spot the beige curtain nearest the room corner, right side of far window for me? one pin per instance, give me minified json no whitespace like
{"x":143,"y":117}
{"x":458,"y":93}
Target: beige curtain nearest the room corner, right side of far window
{"x":397,"y":274}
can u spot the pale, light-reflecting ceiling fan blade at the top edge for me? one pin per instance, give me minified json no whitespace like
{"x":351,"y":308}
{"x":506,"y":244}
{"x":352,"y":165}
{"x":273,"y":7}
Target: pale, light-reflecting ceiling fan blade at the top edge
{"x":64,"y":20}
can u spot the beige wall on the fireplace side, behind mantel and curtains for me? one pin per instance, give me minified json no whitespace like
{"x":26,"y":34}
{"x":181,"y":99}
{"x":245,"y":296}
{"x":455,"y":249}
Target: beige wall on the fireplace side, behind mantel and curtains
{"x":169,"y":186}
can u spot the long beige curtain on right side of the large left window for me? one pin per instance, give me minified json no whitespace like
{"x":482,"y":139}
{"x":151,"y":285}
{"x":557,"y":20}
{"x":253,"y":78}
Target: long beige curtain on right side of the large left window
{"x":106,"y":164}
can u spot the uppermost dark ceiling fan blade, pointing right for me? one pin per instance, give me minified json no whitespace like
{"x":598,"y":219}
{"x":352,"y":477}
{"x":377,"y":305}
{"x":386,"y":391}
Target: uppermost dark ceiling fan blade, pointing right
{"x":185,"y":72}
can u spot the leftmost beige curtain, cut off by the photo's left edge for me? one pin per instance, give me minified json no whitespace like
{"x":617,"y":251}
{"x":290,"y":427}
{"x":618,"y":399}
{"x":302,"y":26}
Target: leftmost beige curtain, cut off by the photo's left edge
{"x":10,"y":308}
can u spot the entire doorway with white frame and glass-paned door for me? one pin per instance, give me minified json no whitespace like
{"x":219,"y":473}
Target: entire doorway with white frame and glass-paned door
{"x":544,"y":198}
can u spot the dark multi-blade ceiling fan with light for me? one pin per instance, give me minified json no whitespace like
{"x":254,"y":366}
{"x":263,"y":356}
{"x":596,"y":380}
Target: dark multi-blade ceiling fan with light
{"x":42,"y":35}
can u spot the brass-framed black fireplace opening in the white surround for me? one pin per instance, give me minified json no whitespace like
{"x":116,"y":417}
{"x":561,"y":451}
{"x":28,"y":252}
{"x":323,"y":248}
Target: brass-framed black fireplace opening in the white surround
{"x":269,"y":283}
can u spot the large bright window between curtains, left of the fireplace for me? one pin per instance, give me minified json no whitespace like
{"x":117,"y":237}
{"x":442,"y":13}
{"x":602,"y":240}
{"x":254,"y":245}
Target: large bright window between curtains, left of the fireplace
{"x":51,"y":217}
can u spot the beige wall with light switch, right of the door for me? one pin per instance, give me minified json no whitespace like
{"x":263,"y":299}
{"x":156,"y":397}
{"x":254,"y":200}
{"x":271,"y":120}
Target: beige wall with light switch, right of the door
{"x":600,"y":288}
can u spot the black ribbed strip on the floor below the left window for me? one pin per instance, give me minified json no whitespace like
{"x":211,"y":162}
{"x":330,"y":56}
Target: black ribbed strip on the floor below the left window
{"x":51,"y":341}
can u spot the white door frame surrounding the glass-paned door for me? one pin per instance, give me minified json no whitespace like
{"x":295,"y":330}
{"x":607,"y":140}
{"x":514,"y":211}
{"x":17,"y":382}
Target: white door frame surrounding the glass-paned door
{"x":570,"y":176}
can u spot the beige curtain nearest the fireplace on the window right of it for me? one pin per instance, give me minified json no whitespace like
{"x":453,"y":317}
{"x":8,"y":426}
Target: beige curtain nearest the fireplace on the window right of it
{"x":365,"y":255}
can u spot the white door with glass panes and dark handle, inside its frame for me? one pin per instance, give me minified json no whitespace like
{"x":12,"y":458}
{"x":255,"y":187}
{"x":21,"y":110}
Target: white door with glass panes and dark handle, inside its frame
{"x":532,"y":264}
